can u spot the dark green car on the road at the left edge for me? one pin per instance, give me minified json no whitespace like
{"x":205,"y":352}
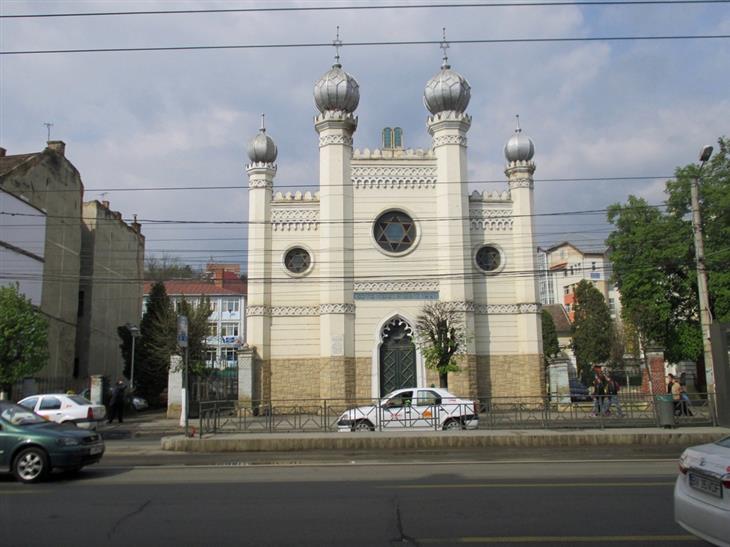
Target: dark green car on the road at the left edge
{"x":30,"y":446}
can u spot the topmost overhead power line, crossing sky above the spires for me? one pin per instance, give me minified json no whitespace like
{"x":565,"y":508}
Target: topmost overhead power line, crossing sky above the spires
{"x":285,"y":9}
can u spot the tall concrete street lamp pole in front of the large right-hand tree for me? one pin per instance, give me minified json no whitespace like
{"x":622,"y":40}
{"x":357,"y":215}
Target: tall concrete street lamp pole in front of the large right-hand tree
{"x":705,"y":318}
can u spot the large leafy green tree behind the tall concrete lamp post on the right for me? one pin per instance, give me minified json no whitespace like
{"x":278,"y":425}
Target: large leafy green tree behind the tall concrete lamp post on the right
{"x":653,"y":258}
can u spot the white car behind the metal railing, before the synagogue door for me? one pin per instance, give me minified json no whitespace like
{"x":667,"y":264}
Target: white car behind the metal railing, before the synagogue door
{"x":413,"y":408}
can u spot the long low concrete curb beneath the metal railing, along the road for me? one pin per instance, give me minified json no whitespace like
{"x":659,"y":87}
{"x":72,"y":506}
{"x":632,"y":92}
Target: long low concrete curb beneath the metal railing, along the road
{"x":436,"y":440}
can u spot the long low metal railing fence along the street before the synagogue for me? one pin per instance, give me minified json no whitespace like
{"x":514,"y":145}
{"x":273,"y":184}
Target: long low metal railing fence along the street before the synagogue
{"x":323,"y":415}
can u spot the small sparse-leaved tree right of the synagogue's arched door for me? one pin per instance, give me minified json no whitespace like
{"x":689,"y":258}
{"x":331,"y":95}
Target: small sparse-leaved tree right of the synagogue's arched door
{"x":441,"y":337}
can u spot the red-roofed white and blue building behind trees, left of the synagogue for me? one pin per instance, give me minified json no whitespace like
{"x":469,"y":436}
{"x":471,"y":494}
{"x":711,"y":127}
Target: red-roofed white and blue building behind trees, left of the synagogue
{"x":226,"y":291}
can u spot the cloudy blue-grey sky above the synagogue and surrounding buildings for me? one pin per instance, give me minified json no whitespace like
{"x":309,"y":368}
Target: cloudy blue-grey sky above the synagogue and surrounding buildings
{"x":136,"y":122}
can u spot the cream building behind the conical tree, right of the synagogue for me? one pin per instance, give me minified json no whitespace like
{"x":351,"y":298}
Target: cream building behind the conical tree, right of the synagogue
{"x":563,"y":266}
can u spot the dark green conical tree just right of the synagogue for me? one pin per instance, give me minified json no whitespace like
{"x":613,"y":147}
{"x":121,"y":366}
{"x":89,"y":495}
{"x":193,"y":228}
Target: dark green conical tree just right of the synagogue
{"x":591,"y":328}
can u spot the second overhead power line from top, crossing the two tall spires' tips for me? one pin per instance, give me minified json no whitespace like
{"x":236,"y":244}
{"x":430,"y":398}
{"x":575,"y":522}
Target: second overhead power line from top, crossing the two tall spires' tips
{"x":370,"y":44}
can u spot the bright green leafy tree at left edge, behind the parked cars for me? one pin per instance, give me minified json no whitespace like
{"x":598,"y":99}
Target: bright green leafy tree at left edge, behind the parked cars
{"x":23,"y":337}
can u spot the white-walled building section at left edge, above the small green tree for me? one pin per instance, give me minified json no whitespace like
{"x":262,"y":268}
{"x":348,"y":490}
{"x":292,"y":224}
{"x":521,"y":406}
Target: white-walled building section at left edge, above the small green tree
{"x":22,"y":246}
